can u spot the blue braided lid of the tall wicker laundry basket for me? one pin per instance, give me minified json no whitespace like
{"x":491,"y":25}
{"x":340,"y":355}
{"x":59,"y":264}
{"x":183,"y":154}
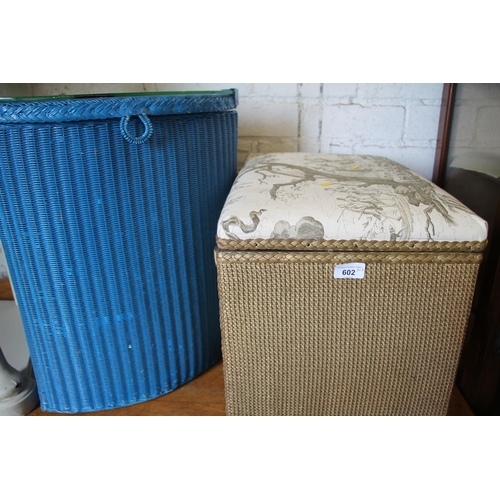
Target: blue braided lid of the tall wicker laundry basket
{"x":63,"y":108}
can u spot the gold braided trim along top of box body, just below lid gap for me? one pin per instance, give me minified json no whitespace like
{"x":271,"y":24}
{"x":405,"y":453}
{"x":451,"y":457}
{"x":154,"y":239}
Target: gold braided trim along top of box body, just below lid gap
{"x":345,"y":257}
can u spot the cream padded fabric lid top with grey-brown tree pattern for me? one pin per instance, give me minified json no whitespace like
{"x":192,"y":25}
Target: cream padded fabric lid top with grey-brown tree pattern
{"x":341,"y":197}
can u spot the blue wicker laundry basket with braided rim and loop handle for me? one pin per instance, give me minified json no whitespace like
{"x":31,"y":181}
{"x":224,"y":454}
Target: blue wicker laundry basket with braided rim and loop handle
{"x":108,"y":213}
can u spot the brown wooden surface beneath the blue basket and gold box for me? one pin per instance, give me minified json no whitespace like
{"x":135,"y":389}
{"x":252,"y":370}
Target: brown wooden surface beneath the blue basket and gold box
{"x":203,"y":396}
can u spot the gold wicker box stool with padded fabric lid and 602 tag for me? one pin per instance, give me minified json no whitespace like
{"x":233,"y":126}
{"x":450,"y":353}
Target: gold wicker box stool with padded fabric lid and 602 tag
{"x":345,"y":287}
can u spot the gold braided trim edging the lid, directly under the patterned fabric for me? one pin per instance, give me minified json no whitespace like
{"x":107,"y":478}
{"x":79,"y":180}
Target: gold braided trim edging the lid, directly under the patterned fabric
{"x":353,"y":245}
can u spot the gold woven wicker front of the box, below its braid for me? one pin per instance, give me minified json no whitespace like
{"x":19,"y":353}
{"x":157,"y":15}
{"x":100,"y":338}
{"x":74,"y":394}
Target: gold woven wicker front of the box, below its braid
{"x":296,"y":341}
